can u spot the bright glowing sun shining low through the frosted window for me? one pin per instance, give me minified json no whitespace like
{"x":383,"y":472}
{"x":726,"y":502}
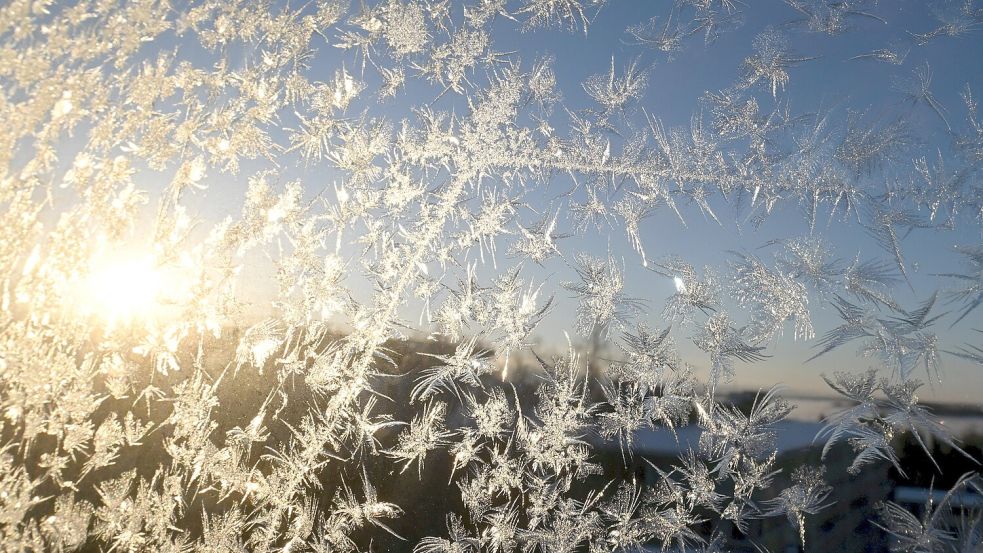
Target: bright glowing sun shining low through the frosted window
{"x":122,"y":289}
